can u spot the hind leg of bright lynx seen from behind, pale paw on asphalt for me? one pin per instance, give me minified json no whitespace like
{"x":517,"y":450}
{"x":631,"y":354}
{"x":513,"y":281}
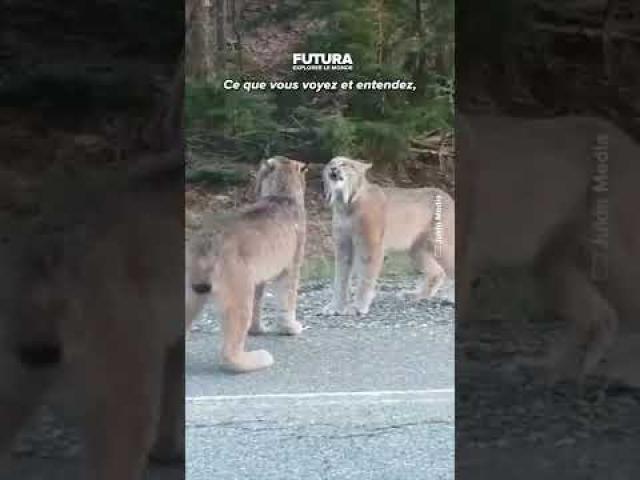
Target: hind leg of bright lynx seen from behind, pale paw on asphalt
{"x":236,"y":297}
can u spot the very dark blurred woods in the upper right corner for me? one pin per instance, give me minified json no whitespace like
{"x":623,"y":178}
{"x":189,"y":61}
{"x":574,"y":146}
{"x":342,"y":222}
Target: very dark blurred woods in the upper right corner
{"x":546,"y":58}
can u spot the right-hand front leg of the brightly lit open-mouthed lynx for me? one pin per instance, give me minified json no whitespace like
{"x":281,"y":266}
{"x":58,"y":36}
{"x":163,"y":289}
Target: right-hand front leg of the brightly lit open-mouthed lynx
{"x":369,"y":260}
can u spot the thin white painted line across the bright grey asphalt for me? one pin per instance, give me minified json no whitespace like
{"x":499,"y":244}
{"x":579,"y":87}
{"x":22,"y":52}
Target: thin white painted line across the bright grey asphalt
{"x":326,"y":395}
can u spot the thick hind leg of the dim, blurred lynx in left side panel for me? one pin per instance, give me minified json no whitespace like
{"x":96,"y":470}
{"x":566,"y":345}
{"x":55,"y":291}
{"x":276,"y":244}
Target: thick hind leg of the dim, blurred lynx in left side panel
{"x":123,"y":384}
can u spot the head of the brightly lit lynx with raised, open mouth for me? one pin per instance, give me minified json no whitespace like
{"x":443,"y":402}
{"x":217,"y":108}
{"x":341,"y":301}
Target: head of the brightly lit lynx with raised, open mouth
{"x":342,"y":179}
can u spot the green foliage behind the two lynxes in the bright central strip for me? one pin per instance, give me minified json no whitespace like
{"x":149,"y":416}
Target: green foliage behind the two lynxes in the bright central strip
{"x":386,"y":43}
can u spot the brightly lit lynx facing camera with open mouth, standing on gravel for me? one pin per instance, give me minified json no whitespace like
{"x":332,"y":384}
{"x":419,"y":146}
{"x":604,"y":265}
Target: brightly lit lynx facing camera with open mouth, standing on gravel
{"x":369,"y":220}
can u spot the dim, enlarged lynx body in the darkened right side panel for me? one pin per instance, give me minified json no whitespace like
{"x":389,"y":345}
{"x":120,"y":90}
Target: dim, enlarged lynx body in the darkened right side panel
{"x":526,"y":191}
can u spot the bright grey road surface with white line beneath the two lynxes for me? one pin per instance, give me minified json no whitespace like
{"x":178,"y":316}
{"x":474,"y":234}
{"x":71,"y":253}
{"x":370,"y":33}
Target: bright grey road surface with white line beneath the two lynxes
{"x":351,"y":398}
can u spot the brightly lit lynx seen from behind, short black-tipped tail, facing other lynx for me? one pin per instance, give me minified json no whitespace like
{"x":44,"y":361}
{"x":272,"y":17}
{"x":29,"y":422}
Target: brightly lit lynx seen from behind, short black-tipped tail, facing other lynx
{"x":262,"y":243}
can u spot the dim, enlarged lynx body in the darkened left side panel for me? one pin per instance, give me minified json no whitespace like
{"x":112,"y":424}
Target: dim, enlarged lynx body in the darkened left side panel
{"x":95,"y":303}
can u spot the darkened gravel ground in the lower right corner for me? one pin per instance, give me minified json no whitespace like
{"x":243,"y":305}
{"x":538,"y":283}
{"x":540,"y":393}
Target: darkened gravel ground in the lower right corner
{"x":511,"y":423}
